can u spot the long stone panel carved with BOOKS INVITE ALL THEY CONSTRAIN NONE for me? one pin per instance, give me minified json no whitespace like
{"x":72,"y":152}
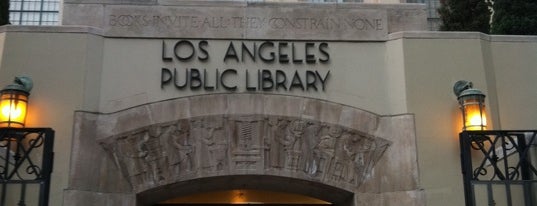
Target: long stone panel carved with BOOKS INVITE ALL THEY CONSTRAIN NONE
{"x":246,"y":22}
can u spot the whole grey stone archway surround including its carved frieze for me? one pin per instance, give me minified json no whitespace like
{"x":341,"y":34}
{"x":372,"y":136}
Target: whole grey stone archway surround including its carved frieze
{"x":297,"y":140}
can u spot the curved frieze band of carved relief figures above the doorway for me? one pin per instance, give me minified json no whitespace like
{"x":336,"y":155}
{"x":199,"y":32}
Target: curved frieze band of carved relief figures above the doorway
{"x":205,"y":146}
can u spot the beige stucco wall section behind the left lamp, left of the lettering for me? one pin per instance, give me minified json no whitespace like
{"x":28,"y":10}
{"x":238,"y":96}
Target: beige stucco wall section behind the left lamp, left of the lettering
{"x":61,"y":65}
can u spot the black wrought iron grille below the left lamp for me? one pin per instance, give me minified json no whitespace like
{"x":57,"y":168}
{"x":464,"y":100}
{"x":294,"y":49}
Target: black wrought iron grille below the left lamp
{"x":26,"y":157}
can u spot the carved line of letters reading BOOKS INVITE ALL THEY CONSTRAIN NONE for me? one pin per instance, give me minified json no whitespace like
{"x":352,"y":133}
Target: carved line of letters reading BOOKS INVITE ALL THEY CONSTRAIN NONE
{"x":249,"y":22}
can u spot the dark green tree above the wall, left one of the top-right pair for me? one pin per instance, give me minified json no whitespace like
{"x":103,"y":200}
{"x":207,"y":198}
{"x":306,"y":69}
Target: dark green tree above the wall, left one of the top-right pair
{"x":465,"y":15}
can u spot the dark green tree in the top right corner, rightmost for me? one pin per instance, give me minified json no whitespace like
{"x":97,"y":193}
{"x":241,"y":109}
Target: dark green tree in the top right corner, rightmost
{"x":514,"y":17}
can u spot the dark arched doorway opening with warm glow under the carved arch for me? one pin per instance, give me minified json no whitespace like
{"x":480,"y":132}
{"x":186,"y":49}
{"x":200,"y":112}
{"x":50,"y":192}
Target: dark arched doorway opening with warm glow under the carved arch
{"x":253,"y":189}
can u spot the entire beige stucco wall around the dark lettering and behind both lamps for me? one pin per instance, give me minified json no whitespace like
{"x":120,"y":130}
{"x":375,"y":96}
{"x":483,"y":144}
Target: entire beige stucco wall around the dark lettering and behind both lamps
{"x":77,"y":69}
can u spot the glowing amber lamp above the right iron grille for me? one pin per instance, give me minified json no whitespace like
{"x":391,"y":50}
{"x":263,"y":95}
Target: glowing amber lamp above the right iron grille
{"x":472,"y":104}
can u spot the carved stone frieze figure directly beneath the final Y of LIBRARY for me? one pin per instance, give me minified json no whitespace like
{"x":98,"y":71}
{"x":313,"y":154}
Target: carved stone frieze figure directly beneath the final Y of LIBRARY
{"x":324,"y":151}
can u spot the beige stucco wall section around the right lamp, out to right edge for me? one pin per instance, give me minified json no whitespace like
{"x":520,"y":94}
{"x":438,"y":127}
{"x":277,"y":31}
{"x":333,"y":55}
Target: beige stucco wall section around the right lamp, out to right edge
{"x":433,"y":63}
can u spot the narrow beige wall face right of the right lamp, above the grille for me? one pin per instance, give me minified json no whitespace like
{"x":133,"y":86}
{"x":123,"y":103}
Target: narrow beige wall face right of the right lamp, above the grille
{"x":514,"y":67}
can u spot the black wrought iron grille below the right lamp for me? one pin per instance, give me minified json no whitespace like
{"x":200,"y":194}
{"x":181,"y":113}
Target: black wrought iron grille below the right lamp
{"x":499,"y":167}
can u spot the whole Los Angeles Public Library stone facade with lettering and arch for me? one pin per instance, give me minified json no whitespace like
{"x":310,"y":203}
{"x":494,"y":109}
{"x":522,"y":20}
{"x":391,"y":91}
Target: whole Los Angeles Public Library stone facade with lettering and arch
{"x":350,"y":104}
